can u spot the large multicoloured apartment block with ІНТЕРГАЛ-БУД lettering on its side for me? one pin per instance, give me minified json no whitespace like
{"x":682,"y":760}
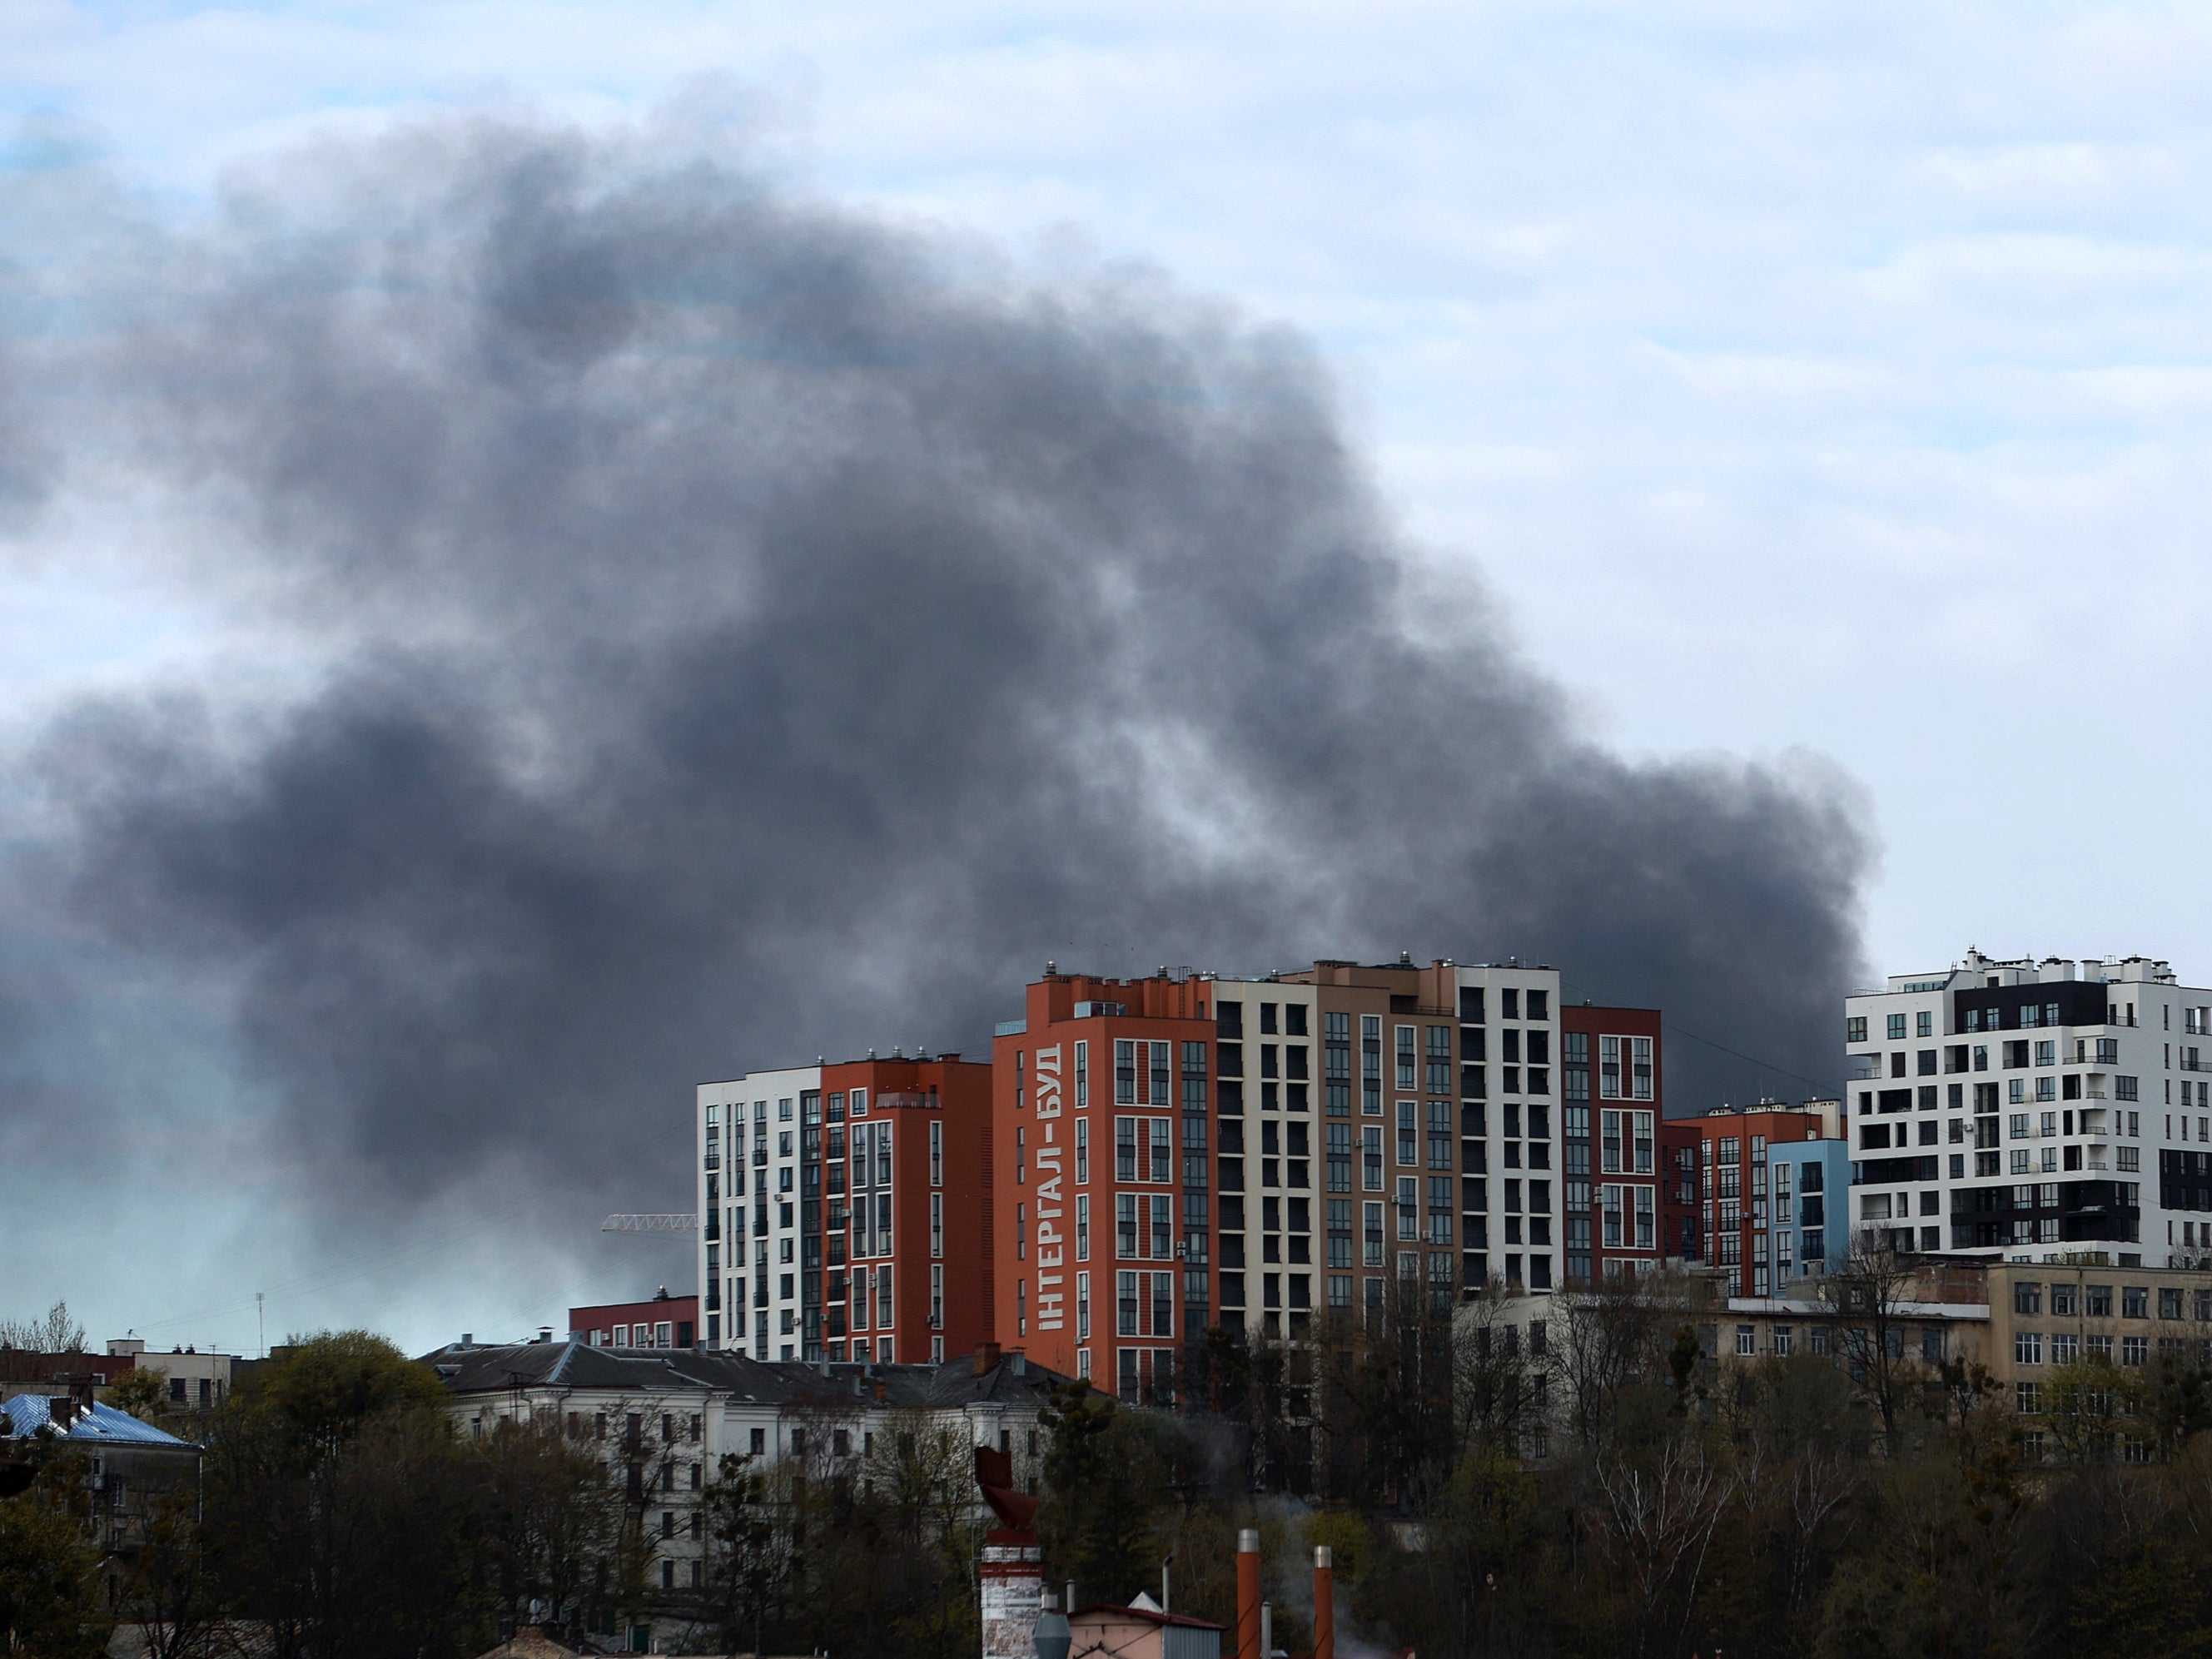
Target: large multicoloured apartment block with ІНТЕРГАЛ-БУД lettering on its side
{"x":1251,"y":1151}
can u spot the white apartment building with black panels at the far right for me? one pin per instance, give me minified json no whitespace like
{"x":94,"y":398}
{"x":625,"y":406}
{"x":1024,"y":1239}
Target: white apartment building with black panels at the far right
{"x":2034,"y":1109}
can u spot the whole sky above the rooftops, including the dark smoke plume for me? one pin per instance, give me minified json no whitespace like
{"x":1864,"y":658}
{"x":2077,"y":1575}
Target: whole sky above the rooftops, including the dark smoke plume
{"x":556,"y":554}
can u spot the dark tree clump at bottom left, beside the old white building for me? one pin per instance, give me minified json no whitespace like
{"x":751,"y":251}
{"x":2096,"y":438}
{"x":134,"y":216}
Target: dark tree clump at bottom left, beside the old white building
{"x":335,"y":1516}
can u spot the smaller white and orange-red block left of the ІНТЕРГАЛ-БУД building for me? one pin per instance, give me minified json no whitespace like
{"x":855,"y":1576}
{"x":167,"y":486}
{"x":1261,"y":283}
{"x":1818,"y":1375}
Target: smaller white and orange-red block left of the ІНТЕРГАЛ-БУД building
{"x":844,"y":1211}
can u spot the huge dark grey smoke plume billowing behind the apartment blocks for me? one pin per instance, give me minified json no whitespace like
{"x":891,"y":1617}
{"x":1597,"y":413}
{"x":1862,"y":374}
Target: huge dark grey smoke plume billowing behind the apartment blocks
{"x":755,"y":632}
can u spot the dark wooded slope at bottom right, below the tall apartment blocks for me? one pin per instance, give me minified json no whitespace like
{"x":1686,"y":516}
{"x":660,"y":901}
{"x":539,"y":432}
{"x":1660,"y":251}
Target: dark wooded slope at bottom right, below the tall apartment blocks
{"x":1846,"y":1503}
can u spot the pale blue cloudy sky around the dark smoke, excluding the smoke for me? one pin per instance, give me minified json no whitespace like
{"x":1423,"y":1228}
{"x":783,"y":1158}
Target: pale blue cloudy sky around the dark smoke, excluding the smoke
{"x":1826,"y":390}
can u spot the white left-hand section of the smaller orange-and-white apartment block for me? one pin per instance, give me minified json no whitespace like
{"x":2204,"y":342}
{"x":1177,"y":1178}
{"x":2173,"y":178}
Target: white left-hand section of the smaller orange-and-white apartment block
{"x":760,"y":1213}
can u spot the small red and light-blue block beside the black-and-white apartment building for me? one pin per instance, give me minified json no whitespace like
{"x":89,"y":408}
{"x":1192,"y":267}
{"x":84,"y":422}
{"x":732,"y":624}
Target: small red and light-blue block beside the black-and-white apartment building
{"x":1760,"y":1193}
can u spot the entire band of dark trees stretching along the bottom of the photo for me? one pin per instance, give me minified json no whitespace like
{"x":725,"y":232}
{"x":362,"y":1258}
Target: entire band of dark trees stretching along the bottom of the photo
{"x":1490,"y":1488}
